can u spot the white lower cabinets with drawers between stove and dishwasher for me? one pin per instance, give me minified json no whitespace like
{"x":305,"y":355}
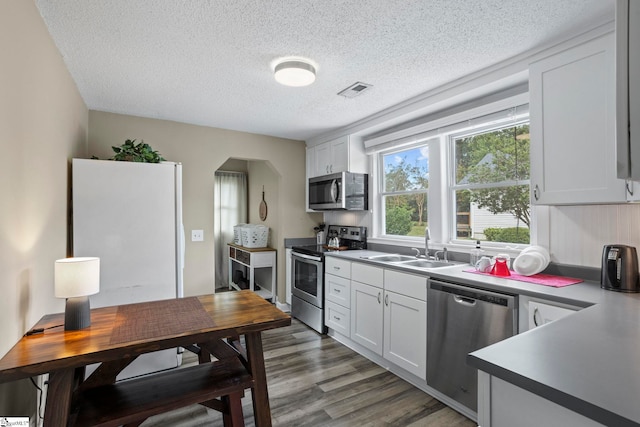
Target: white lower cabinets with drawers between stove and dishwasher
{"x":381,"y":310}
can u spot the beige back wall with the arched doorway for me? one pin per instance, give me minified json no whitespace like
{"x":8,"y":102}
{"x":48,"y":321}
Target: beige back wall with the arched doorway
{"x":277,"y":163}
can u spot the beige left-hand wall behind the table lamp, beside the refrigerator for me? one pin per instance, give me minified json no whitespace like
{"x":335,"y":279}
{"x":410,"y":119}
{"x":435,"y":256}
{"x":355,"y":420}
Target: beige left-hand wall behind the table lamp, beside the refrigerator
{"x":43,"y":124}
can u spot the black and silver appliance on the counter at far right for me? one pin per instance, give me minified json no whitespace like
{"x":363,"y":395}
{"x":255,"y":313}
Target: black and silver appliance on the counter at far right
{"x":620,"y":268}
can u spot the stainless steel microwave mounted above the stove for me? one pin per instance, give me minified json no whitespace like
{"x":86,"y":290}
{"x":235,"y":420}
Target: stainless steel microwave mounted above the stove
{"x":339,"y":191}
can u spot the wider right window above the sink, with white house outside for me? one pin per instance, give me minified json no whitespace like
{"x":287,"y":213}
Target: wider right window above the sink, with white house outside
{"x":490,"y":189}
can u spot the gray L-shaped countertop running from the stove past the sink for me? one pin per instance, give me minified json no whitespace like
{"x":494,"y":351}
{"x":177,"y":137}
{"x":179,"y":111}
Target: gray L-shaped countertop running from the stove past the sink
{"x":588,"y":362}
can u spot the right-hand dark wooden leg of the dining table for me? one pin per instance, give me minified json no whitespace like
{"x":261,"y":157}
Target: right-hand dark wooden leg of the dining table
{"x":259,"y":393}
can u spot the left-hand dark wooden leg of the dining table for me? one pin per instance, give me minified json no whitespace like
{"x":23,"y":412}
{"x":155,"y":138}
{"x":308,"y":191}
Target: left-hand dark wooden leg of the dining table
{"x":59,"y":393}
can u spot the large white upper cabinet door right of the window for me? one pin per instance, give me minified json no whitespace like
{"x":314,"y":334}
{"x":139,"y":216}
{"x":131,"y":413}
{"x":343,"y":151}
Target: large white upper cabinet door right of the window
{"x":572,"y":113}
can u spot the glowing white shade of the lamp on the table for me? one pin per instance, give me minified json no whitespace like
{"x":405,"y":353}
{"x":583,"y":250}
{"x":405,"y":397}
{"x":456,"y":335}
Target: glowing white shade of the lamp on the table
{"x":76,"y":277}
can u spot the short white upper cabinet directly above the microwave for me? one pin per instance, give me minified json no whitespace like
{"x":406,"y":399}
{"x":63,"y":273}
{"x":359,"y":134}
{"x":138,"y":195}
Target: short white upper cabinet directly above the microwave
{"x":343,"y":154}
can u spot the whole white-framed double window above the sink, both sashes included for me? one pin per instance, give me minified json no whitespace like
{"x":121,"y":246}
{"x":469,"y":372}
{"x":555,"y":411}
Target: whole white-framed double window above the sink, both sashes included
{"x":465,"y":177}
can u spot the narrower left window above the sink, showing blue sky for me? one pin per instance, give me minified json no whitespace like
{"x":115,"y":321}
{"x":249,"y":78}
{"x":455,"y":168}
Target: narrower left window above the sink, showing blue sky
{"x":405,"y":185}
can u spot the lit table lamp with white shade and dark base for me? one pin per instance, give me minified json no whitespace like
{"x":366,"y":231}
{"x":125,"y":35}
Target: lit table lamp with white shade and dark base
{"x":75,"y":280}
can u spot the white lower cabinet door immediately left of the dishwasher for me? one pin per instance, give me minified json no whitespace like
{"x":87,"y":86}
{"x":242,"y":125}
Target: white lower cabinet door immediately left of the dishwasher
{"x":405,"y":333}
